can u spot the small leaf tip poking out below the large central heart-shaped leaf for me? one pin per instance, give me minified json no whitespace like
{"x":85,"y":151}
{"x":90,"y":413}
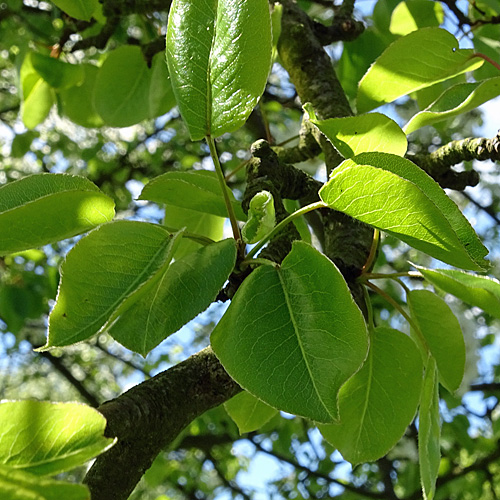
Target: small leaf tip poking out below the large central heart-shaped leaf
{"x":248,"y":412}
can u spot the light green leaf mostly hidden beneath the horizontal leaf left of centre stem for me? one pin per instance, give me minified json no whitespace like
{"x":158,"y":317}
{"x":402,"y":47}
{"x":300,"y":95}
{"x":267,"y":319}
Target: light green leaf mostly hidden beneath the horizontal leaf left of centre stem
{"x":195,"y":222}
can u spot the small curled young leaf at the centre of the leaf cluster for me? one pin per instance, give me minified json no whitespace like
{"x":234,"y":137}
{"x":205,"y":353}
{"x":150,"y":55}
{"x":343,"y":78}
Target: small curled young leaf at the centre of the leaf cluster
{"x":261,"y":217}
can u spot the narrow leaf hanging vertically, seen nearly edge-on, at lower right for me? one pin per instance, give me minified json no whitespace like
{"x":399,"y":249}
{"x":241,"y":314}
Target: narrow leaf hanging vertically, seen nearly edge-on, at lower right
{"x":429,"y":431}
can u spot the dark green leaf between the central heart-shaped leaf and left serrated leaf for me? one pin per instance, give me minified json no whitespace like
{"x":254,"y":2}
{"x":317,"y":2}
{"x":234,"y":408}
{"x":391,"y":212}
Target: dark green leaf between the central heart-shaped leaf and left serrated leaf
{"x":171,"y":303}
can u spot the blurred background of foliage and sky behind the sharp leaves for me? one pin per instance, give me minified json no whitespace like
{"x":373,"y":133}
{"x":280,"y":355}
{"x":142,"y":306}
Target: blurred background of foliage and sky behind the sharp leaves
{"x":61,"y":130}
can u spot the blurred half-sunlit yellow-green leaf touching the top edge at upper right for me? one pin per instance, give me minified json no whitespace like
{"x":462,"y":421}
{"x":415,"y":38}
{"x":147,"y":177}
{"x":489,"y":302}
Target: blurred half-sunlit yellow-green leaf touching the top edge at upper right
{"x":414,"y":14}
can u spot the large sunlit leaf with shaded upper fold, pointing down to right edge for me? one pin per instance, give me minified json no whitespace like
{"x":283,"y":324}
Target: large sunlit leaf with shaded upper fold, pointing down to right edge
{"x":394,"y":195}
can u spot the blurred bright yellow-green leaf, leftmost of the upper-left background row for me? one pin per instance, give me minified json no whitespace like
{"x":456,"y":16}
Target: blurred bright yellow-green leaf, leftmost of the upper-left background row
{"x":38,"y":96}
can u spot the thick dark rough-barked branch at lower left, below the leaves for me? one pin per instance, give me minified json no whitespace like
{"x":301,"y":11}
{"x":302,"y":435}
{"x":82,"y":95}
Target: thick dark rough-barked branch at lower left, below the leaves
{"x":147,"y":418}
